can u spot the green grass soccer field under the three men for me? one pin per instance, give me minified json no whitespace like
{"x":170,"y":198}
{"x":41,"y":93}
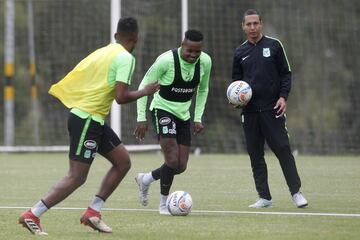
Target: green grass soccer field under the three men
{"x":221,"y":187}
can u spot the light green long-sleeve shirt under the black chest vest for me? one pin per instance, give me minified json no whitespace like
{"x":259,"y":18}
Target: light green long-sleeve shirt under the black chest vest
{"x":163,"y":71}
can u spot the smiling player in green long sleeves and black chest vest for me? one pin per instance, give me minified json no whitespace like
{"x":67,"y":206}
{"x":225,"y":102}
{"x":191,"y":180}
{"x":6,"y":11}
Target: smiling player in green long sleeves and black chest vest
{"x":181,"y":72}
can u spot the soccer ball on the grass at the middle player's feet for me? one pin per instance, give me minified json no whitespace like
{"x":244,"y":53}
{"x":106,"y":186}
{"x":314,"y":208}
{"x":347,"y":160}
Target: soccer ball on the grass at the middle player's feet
{"x":179,"y":203}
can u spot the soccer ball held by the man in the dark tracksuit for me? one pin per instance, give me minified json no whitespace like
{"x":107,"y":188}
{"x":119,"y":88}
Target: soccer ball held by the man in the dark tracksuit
{"x":239,"y":93}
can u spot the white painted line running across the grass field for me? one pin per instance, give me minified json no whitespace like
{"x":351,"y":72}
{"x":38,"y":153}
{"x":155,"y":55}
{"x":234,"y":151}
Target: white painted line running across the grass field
{"x":209,"y":211}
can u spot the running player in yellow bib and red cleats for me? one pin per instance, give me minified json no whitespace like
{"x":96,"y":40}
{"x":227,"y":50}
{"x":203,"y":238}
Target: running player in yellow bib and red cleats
{"x":89,"y":90}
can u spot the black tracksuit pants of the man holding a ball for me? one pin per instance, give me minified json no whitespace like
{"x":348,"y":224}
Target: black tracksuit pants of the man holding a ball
{"x":264,"y":126}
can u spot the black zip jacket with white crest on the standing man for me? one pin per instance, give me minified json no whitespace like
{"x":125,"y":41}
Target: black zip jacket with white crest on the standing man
{"x":265,"y":67}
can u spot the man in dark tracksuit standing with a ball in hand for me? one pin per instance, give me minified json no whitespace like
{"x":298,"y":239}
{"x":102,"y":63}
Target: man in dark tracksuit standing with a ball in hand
{"x":261,"y":61}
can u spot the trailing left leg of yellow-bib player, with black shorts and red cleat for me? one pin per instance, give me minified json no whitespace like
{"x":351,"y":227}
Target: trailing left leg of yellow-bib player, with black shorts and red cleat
{"x":81,"y":155}
